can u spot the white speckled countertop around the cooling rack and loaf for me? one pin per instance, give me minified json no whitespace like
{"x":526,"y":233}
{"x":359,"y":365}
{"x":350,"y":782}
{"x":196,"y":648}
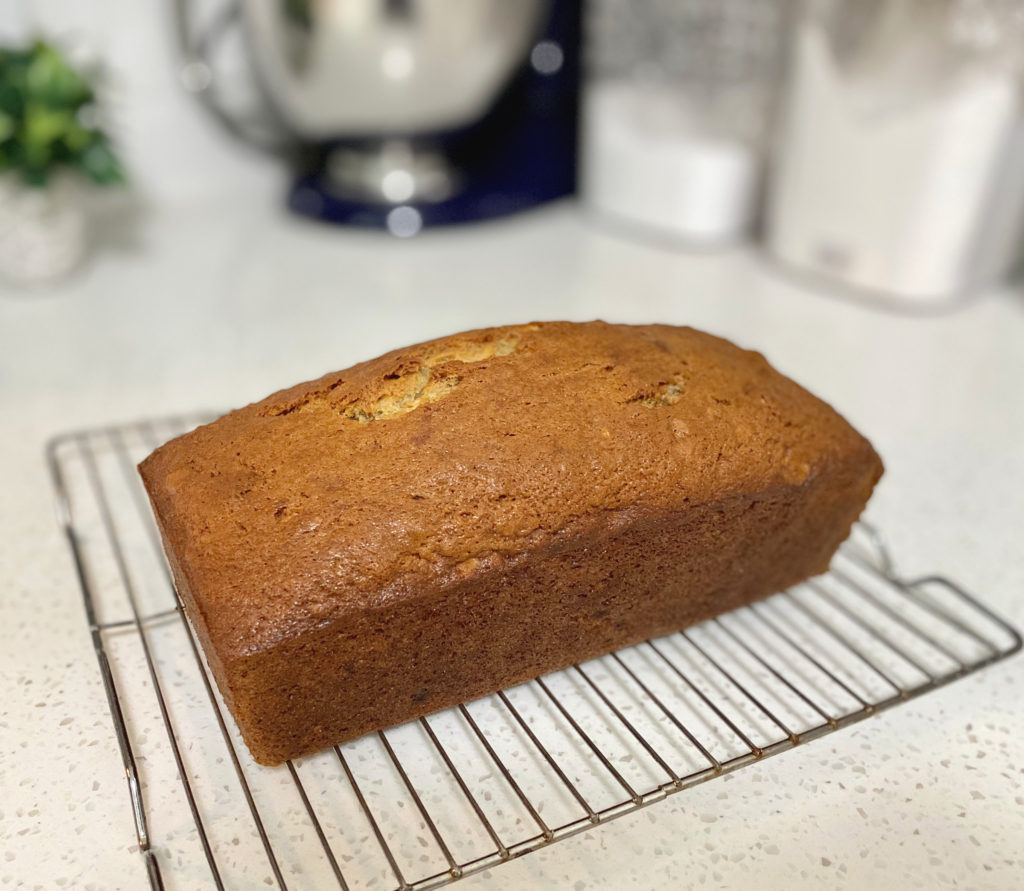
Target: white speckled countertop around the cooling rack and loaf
{"x":217,"y":306}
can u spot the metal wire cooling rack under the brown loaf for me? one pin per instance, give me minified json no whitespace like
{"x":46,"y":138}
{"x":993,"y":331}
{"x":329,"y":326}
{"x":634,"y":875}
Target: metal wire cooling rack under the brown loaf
{"x":423,"y":804}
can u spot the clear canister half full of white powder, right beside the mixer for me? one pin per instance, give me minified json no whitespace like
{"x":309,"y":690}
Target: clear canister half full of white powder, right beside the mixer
{"x":677,"y":103}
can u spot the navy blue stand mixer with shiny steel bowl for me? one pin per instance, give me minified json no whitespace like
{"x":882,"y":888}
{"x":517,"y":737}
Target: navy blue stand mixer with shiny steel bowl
{"x":400,"y":113}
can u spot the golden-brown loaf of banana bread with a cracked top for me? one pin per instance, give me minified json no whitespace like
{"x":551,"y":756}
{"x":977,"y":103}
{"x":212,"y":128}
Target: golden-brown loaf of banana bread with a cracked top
{"x":472,"y":513}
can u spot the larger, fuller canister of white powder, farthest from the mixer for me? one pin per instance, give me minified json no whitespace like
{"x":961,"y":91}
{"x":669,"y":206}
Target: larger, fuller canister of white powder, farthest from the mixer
{"x":900,"y":167}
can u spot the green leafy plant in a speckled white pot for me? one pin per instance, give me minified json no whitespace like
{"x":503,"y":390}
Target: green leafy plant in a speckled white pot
{"x":51,"y":142}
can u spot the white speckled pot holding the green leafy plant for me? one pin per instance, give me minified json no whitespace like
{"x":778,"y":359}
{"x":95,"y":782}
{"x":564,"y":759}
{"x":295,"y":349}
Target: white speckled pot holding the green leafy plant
{"x":42,"y":230}
